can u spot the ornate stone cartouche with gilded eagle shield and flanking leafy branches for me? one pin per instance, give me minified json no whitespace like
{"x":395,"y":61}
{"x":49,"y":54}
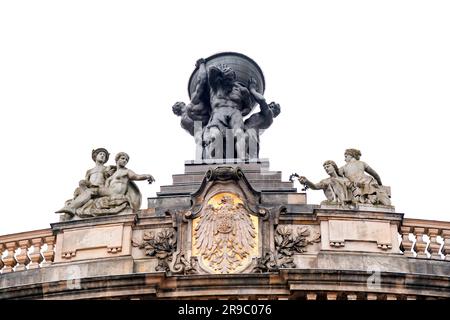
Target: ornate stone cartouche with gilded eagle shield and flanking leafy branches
{"x":227,"y":229}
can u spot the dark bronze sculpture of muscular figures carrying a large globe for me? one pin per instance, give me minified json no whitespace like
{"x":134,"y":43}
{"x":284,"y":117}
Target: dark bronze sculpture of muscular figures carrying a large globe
{"x":224,"y":89}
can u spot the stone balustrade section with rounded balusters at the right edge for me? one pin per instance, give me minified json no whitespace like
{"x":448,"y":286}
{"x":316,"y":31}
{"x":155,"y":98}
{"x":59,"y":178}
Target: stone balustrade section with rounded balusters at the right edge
{"x":421,"y":248}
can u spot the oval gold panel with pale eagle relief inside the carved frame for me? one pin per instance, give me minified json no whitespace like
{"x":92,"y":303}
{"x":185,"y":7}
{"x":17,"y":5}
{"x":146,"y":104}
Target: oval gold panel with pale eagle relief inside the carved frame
{"x":225,"y":235}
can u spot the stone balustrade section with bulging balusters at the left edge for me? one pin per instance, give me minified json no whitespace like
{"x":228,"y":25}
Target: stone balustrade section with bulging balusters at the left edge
{"x":26,"y":250}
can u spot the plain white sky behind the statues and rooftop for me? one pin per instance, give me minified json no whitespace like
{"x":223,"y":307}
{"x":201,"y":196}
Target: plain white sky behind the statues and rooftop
{"x":76,"y":75}
